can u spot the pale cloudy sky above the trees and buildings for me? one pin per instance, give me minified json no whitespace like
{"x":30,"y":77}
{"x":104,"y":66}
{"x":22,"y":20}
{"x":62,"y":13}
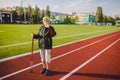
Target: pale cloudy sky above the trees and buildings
{"x":110,"y":7}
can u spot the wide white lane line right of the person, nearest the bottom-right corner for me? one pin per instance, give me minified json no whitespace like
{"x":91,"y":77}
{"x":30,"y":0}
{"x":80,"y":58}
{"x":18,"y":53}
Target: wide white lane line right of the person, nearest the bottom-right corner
{"x":88,"y":61}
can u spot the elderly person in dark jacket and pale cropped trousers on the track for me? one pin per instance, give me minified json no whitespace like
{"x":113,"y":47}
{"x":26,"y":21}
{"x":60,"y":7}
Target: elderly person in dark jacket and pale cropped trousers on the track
{"x":44,"y":36}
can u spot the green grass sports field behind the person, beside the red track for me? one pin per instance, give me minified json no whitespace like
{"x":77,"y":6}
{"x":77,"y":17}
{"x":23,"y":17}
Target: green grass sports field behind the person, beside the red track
{"x":15,"y":39}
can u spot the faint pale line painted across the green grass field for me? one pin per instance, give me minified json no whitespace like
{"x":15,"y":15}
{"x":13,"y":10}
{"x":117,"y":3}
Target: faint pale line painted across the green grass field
{"x":54,"y":38}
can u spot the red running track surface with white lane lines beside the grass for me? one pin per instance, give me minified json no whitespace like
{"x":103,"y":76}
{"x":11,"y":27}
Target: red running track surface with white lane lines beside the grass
{"x":104,"y":67}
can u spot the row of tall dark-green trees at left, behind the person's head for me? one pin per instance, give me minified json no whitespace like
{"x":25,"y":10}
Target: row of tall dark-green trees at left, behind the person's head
{"x":30,"y":14}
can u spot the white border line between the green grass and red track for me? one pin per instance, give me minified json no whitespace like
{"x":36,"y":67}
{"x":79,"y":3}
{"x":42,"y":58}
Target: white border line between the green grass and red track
{"x":25,"y":54}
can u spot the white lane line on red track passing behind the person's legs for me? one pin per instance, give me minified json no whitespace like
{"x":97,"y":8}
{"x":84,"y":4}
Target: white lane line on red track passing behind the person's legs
{"x":14,"y":73}
